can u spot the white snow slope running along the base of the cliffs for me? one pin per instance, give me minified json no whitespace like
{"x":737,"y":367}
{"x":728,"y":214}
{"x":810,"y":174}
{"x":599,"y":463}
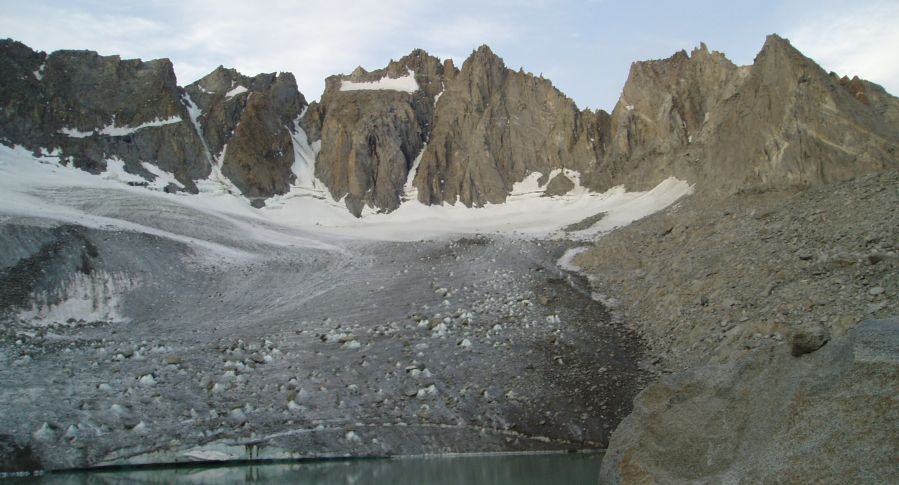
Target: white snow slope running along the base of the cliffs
{"x":308,"y":216}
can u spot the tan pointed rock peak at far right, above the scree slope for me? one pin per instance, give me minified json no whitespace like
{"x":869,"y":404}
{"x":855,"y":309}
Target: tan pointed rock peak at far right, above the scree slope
{"x":791,"y":125}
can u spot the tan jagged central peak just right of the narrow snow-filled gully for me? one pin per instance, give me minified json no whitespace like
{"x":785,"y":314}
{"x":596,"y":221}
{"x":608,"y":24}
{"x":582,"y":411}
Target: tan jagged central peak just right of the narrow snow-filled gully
{"x":493,"y":126}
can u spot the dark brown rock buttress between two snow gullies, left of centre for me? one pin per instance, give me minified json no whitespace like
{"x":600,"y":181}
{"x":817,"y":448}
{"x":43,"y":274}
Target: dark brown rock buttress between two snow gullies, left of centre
{"x":247,"y":125}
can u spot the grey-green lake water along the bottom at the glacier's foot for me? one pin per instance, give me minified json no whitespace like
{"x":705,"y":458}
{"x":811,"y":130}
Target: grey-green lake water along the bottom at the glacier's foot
{"x":561,"y":469}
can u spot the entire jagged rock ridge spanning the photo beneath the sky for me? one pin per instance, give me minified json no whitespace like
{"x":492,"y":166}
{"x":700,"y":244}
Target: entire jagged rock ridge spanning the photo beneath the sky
{"x":427,"y":129}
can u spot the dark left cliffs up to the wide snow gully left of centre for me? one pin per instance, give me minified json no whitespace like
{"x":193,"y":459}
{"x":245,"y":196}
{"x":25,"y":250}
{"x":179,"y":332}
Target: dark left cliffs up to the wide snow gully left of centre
{"x":94,"y":109}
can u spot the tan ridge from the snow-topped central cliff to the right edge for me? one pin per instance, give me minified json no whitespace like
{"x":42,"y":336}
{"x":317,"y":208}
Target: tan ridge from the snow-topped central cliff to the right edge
{"x":779,"y":123}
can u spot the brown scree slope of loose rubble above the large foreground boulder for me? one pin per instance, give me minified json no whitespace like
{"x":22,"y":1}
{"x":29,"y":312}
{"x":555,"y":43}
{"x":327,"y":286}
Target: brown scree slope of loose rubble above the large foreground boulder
{"x":709,"y":280}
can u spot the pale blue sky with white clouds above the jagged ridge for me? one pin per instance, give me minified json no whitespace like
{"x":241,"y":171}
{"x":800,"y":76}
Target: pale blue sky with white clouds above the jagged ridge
{"x":585,"y":47}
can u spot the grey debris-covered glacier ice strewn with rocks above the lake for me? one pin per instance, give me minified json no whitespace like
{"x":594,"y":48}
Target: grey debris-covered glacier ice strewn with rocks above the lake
{"x":252,"y":350}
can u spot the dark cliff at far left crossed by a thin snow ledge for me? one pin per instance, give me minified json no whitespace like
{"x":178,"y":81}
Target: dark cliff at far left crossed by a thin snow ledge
{"x":94,"y":108}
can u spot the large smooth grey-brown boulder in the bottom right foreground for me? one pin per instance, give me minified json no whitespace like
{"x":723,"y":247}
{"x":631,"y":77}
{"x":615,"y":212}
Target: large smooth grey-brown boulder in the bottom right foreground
{"x":825,"y":417}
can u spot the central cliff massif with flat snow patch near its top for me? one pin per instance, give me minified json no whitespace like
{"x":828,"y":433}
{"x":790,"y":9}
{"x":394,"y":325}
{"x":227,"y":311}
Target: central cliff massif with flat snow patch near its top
{"x":474,"y":132}
